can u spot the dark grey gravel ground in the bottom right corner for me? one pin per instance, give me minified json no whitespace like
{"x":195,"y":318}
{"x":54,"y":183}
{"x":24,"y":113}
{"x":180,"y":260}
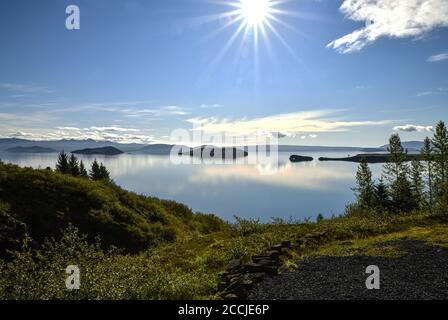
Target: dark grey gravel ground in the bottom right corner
{"x":421,"y":273}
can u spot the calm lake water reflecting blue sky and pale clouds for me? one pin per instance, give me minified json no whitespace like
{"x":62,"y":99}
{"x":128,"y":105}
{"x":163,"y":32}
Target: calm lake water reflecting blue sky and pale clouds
{"x":289,"y":190}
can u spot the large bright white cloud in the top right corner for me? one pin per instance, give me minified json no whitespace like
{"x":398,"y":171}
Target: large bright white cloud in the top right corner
{"x":390,"y":18}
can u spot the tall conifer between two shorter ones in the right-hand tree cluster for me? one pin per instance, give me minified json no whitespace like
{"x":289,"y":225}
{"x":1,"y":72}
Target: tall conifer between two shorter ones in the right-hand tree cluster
{"x":396,"y":172}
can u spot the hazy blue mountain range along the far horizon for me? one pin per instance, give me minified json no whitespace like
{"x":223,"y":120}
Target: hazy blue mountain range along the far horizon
{"x":165,"y":149}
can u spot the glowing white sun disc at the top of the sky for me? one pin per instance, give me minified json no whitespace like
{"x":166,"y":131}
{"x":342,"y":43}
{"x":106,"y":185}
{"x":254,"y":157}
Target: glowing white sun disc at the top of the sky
{"x":255,"y":12}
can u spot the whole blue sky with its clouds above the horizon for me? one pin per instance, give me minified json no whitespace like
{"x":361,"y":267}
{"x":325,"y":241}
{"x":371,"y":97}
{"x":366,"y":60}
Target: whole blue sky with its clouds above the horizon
{"x":333,"y":72}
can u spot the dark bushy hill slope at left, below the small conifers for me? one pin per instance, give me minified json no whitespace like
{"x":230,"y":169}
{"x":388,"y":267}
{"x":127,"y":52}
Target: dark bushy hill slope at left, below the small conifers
{"x":42,"y":203}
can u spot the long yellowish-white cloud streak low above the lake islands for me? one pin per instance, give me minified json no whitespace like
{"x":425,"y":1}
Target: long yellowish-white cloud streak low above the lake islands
{"x":307,"y":122}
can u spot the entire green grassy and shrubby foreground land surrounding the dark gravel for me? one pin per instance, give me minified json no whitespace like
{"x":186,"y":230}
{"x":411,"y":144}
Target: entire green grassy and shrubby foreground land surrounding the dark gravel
{"x":167,"y":251}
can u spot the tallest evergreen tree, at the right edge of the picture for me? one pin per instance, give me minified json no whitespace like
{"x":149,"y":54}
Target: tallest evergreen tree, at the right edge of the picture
{"x":440,"y":146}
